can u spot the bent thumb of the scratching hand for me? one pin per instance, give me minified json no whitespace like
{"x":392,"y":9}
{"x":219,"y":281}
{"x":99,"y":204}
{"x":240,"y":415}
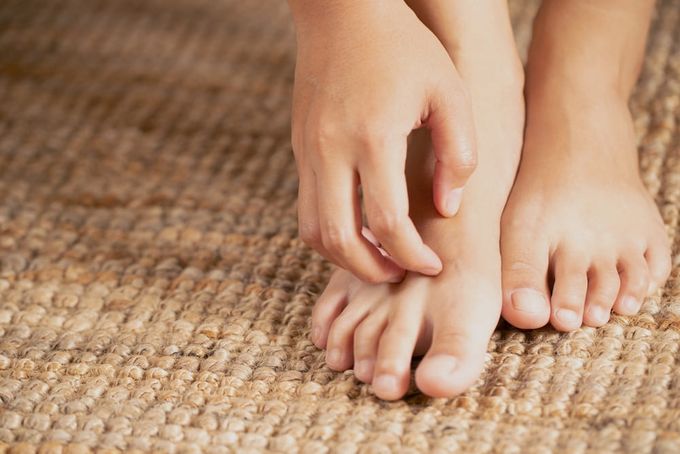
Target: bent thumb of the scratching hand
{"x":453,"y":140}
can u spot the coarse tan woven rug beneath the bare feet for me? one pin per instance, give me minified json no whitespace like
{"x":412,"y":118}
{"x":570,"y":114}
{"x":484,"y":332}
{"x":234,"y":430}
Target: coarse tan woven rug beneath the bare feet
{"x":154,"y":294}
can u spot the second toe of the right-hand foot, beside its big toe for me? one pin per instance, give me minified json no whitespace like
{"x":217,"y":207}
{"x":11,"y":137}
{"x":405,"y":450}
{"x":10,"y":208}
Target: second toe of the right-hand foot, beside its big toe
{"x":569,"y":291}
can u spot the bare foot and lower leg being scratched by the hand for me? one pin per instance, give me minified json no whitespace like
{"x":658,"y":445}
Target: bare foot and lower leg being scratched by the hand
{"x":449,"y":318}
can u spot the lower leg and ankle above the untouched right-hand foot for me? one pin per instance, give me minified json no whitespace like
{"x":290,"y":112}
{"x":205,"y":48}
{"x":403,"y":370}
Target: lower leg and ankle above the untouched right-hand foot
{"x":591,"y":46}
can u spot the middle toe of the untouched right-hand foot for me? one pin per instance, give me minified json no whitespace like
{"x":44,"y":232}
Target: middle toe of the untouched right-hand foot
{"x":603,"y":287}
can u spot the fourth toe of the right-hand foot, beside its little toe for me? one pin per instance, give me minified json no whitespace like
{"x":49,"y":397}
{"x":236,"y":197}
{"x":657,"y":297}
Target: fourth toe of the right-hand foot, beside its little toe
{"x":634,"y":276}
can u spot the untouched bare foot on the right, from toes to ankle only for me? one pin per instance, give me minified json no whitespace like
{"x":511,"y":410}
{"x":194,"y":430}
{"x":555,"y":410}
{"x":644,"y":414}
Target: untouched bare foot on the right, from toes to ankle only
{"x":580,"y":234}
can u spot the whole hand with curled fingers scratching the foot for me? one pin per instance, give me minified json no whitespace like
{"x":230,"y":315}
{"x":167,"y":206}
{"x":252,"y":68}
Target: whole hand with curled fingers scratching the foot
{"x":368,"y":73}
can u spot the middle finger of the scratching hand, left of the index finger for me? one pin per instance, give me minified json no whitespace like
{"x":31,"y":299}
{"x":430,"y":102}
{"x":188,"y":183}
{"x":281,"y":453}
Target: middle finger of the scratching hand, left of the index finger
{"x":340,"y":225}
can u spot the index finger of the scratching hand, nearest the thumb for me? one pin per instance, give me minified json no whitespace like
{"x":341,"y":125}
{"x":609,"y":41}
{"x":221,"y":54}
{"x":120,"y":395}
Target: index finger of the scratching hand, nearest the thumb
{"x":387,"y":207}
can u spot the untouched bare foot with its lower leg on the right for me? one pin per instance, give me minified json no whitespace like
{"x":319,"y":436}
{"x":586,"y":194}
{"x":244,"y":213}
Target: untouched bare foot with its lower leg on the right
{"x":580,"y":234}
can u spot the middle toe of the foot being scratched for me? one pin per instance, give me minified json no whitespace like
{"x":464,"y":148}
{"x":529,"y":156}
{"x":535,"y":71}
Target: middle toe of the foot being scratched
{"x":366,"y":340}
